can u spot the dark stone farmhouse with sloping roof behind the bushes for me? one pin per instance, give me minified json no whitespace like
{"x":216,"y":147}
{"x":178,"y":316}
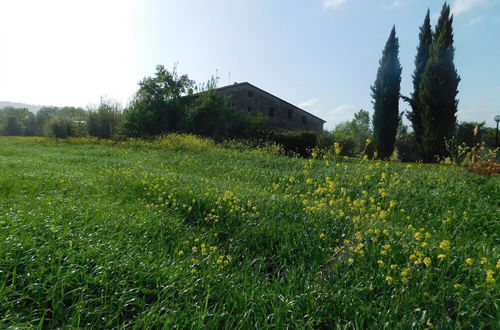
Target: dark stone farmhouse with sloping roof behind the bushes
{"x":252,"y":100}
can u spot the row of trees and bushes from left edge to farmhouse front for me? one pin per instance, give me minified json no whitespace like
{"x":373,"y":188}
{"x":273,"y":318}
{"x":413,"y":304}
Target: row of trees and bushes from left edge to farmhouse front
{"x":164,"y":103}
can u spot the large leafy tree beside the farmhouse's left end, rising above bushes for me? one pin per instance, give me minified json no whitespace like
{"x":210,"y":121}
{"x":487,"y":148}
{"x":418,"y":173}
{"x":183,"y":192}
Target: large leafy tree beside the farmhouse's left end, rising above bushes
{"x":158,"y":105}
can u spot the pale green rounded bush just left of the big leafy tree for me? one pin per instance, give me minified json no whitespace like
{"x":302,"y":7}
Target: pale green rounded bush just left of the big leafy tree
{"x":105,"y":121}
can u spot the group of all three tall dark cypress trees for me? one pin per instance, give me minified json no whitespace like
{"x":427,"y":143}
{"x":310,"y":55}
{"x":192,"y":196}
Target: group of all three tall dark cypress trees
{"x":433,"y":101}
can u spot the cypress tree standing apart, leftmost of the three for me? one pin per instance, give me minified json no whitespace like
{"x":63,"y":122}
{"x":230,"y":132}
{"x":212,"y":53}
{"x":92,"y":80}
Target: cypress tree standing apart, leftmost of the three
{"x":385,"y":94}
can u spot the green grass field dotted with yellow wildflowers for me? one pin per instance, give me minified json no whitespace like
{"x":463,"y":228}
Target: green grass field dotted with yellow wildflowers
{"x":183,"y":233}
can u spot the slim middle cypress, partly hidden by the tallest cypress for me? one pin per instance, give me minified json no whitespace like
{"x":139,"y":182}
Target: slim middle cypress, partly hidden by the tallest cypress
{"x":423,"y":54}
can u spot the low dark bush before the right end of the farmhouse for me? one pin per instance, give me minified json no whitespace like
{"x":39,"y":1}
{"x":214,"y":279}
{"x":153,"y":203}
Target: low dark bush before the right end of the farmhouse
{"x":296,"y":142}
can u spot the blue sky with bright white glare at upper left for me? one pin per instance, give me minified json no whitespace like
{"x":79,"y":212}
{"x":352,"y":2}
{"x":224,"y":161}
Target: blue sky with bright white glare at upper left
{"x":321,"y":55}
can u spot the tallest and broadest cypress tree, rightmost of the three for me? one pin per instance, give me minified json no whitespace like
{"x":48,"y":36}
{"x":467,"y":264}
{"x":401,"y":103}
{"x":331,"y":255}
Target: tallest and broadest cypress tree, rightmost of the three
{"x":438,"y":90}
